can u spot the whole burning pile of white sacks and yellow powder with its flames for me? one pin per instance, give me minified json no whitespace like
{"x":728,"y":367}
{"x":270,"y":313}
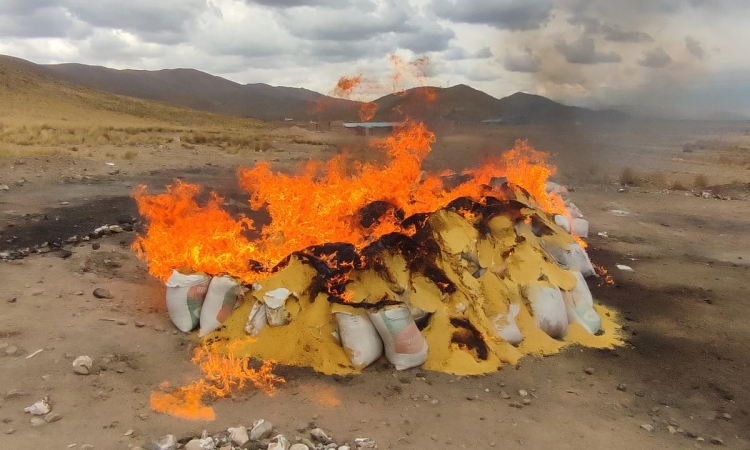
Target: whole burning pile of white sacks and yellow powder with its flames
{"x":460,"y":273}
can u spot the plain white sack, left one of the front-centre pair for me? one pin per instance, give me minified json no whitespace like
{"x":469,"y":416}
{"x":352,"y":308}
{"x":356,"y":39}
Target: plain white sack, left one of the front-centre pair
{"x":359,"y":338}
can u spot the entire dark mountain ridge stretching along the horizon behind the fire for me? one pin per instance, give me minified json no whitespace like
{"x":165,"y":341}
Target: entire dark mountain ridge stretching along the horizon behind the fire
{"x":205,"y":92}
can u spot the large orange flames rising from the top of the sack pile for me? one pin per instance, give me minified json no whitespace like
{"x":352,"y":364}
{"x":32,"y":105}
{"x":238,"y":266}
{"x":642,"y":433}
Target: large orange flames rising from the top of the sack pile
{"x":319,"y":205}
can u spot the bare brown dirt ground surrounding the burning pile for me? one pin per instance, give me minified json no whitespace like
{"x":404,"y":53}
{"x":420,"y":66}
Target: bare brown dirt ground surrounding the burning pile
{"x":684,"y":308}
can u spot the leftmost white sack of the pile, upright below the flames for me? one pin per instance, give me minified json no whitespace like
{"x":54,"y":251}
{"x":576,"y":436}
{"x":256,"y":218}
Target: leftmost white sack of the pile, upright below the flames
{"x":185,"y":296}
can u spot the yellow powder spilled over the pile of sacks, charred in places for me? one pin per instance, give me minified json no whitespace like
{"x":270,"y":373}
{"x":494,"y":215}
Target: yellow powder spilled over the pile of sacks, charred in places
{"x":491,"y":270}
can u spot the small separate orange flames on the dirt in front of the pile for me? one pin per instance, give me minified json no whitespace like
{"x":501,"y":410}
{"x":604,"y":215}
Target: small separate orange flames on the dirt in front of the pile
{"x":222,"y":372}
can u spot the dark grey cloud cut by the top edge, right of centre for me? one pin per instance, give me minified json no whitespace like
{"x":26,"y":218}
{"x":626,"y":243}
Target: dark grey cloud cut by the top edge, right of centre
{"x":501,"y":14}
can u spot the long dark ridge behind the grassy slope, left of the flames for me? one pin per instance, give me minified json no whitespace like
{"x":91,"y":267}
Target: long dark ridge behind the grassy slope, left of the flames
{"x":199,"y":90}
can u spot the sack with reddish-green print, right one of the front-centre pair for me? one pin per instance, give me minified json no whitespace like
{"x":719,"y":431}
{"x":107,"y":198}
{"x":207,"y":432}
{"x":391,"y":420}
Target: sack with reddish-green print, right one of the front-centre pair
{"x":405,"y":347}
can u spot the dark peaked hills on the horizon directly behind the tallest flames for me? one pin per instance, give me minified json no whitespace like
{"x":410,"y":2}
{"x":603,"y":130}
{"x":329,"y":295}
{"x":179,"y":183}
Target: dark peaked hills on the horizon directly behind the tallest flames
{"x":465,"y":104}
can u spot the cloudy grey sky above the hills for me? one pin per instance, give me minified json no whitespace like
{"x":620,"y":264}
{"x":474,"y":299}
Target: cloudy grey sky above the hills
{"x":666,"y":58}
